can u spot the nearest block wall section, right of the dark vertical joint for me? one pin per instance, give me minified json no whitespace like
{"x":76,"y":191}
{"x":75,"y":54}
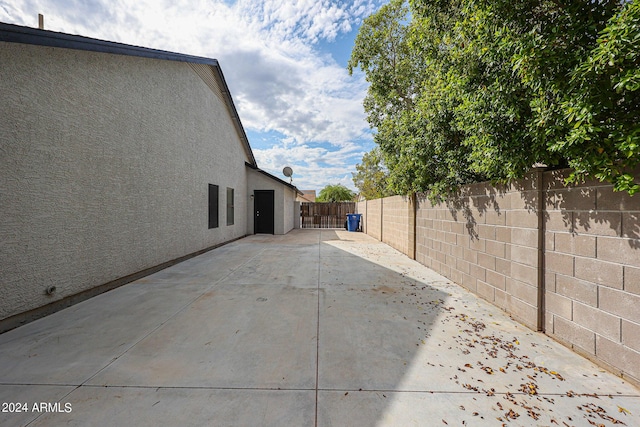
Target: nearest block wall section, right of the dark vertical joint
{"x":592,"y":271}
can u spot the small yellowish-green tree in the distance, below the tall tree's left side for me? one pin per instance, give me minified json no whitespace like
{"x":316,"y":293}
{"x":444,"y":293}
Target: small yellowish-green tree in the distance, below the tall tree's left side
{"x":371,"y":176}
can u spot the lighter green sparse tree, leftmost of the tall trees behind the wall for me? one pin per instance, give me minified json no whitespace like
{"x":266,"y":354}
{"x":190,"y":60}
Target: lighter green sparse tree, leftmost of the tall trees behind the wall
{"x":416,"y":142}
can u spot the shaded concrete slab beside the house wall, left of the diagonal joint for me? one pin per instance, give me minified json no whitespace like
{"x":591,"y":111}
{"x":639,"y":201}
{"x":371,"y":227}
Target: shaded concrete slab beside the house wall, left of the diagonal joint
{"x":70,"y":346}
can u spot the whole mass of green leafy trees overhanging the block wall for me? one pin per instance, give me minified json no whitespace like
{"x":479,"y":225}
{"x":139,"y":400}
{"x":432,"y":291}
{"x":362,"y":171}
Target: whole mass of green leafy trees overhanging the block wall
{"x":468,"y":90}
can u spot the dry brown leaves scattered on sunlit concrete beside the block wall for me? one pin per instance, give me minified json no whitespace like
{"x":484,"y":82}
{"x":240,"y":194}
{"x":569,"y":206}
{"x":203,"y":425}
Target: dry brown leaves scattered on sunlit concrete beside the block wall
{"x":490,"y":352}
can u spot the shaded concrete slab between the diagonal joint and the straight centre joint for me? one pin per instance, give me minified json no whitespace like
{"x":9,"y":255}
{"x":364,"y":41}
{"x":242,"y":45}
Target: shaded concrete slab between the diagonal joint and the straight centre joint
{"x":244,"y":336}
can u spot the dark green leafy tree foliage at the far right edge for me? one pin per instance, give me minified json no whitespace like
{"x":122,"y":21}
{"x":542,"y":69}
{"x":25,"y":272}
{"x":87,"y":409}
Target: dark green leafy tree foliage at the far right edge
{"x":604,"y":140}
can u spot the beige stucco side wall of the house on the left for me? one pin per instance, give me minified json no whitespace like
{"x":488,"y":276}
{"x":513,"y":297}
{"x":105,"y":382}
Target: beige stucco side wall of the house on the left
{"x":107,"y":152}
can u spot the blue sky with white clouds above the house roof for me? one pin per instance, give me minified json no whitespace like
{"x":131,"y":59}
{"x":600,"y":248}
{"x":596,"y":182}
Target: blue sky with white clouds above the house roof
{"x":284,"y":61}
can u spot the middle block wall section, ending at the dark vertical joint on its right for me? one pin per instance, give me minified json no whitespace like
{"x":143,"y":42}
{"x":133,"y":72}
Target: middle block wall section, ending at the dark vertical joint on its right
{"x":487,"y":241}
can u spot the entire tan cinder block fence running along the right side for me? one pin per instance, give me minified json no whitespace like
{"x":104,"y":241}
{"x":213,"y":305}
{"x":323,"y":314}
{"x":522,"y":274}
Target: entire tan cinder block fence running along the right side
{"x":562,"y":260}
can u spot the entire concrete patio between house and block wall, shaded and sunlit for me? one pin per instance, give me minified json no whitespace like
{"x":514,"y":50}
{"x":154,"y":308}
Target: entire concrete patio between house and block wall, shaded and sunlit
{"x":314,"y":328}
